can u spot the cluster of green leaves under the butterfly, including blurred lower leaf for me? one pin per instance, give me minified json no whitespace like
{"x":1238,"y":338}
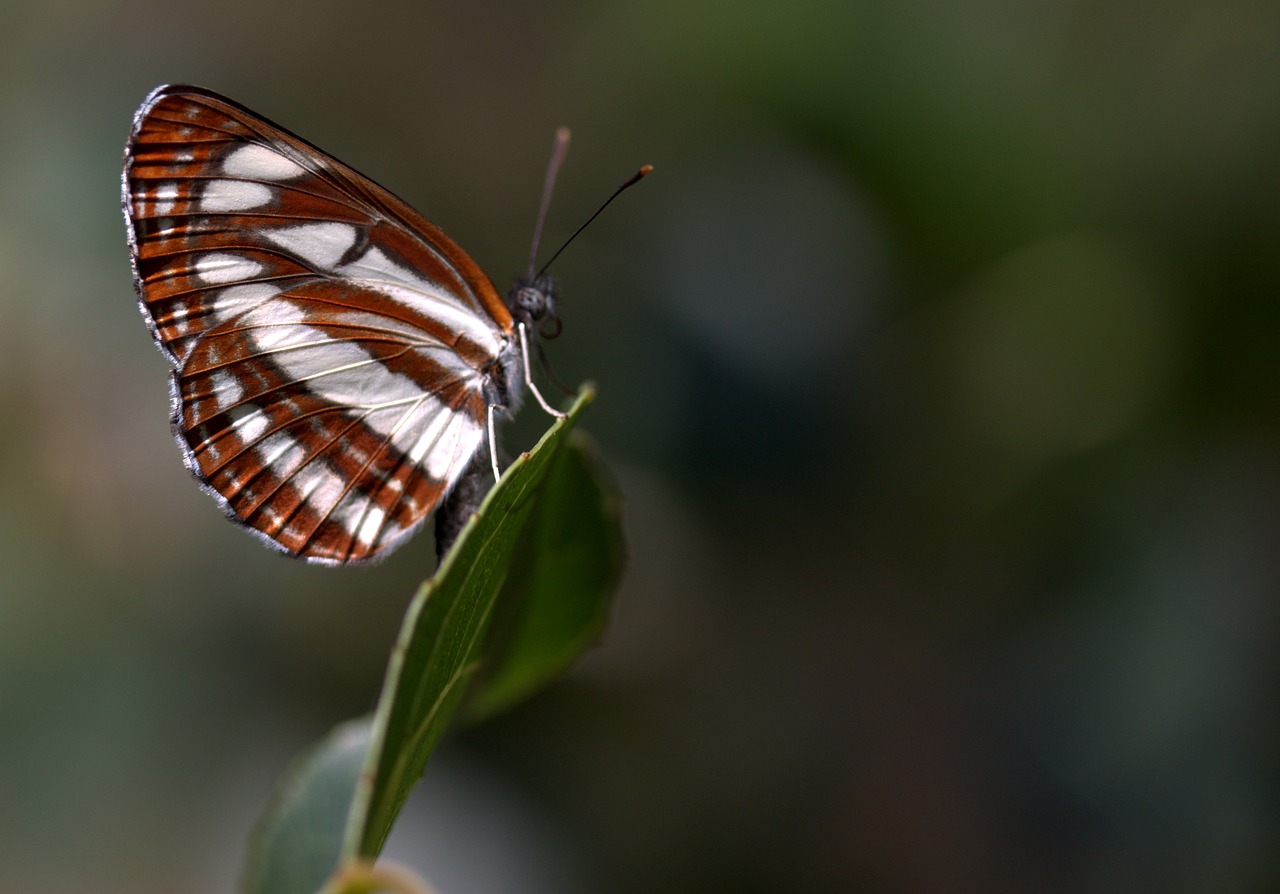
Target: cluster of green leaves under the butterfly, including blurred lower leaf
{"x":442,"y":645}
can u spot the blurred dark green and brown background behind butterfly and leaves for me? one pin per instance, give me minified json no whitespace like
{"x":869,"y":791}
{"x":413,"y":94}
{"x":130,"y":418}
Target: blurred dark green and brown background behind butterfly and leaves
{"x":939,"y":362}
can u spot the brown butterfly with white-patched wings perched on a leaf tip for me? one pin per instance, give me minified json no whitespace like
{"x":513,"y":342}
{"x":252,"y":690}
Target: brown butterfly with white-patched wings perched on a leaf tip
{"x":337,"y":361}
